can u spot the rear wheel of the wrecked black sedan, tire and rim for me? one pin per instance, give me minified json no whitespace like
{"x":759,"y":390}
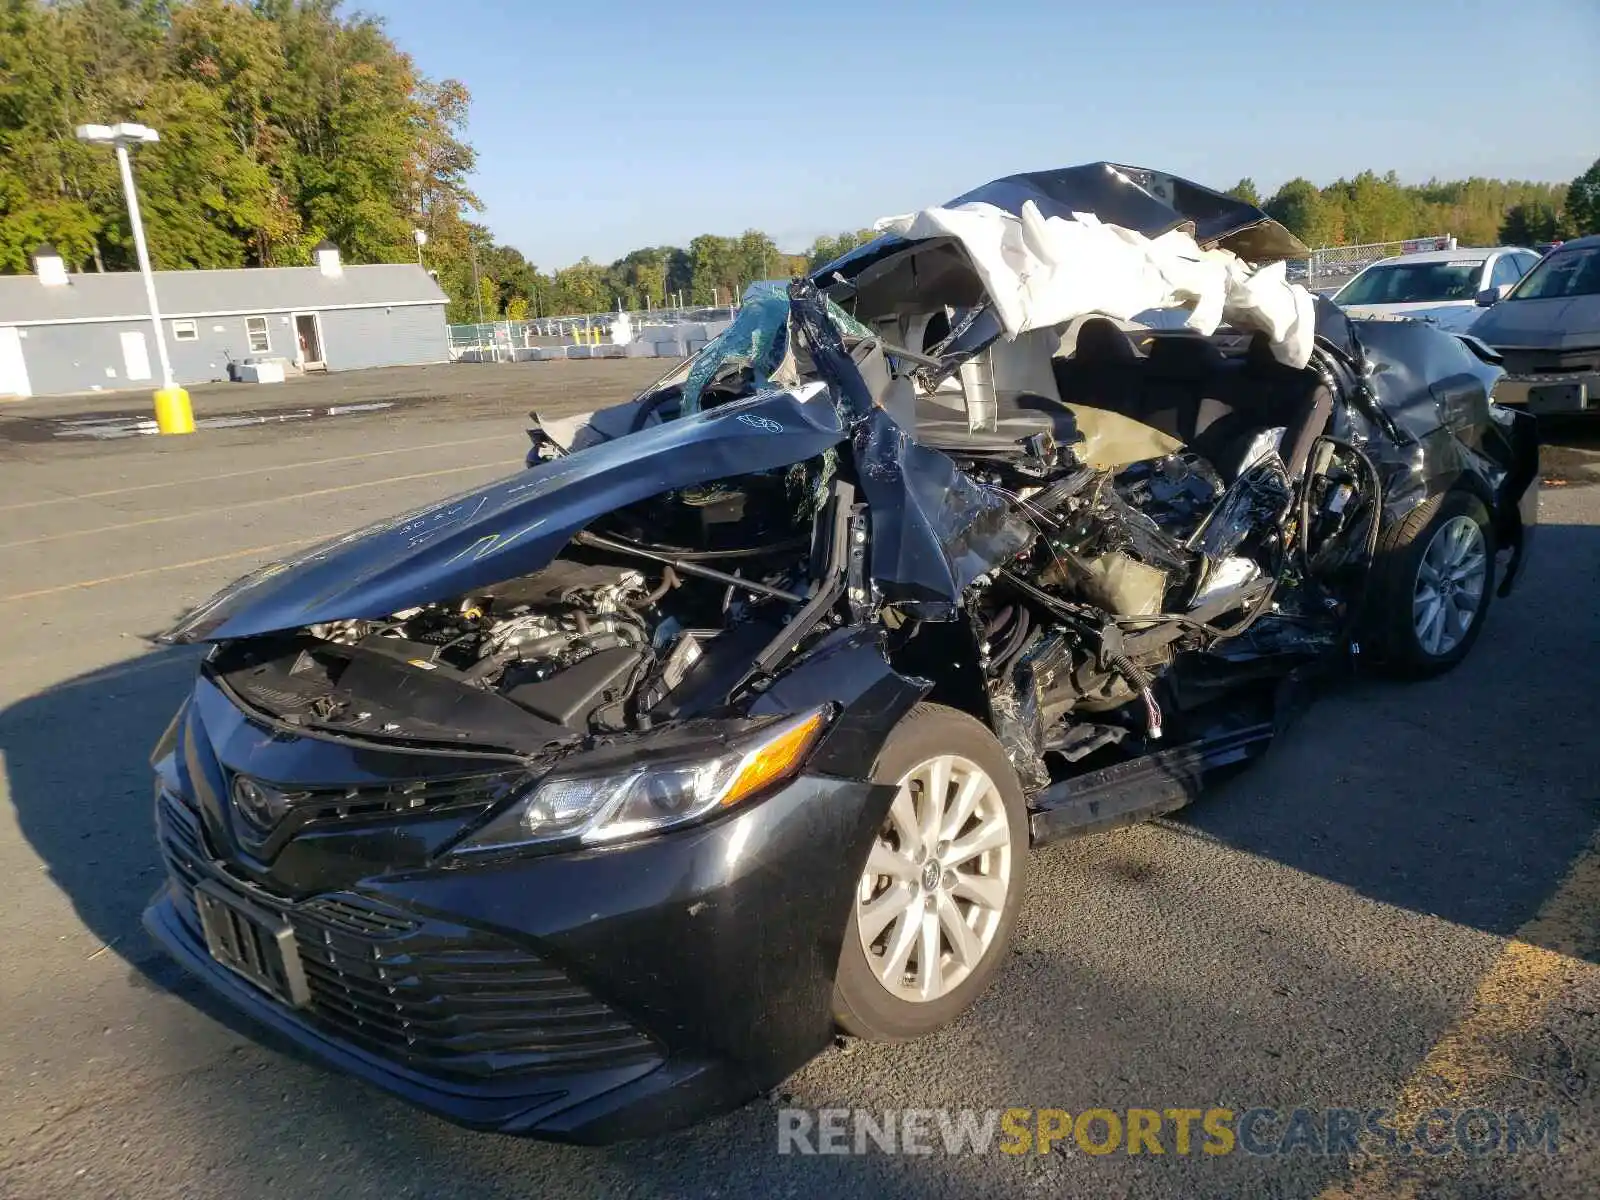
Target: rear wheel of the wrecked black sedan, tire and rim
{"x":1434,"y":585}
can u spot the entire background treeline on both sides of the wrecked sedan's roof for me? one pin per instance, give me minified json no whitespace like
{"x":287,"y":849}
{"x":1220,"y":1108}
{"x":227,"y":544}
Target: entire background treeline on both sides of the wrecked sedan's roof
{"x":287,"y":122}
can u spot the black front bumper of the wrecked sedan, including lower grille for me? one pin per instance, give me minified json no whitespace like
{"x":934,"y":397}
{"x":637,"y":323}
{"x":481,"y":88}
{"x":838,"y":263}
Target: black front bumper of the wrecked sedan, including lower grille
{"x":586,"y":998}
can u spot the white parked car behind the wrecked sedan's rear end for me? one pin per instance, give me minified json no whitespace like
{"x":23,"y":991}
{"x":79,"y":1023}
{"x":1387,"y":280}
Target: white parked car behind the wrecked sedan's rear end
{"x":1439,"y":286}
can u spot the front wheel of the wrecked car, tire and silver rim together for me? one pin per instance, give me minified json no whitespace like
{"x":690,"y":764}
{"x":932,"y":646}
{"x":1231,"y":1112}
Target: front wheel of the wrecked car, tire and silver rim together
{"x":943,"y":882}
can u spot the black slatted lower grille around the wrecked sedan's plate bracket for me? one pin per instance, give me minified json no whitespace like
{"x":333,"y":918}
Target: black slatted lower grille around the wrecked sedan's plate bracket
{"x":430,"y":994}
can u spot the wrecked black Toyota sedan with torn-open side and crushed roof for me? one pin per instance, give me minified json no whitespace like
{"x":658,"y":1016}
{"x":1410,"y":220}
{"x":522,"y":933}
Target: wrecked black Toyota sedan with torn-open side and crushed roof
{"x":596,"y":801}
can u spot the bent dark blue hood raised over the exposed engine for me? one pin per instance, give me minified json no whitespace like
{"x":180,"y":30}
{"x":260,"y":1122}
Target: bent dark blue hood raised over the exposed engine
{"x":514,"y":526}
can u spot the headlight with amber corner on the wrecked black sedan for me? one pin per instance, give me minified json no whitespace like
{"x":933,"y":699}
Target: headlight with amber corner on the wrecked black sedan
{"x":598,"y":809}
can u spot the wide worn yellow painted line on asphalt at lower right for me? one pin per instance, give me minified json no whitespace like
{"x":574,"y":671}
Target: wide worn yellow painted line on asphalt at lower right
{"x":1514,"y":998}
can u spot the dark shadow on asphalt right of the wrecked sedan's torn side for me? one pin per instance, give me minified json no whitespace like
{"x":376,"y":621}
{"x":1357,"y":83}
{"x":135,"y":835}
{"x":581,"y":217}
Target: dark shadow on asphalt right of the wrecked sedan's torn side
{"x":1466,"y":798}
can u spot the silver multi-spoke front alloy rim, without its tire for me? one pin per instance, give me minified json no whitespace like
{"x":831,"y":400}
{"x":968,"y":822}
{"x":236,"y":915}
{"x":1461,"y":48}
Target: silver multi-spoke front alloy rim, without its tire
{"x":935,"y":889}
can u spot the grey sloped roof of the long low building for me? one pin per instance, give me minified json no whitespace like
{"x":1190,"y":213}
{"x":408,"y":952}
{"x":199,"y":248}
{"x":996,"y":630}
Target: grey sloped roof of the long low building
{"x":204,"y":294}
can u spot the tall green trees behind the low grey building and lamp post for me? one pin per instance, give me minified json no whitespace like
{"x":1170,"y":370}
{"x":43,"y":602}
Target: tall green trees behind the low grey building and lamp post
{"x":282,"y":122}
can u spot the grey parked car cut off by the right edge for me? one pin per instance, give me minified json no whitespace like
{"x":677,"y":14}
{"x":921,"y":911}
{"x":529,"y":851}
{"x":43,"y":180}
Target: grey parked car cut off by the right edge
{"x":1548,"y":332}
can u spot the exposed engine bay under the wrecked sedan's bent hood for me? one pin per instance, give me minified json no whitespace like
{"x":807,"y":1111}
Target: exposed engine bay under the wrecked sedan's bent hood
{"x":609,"y":638}
